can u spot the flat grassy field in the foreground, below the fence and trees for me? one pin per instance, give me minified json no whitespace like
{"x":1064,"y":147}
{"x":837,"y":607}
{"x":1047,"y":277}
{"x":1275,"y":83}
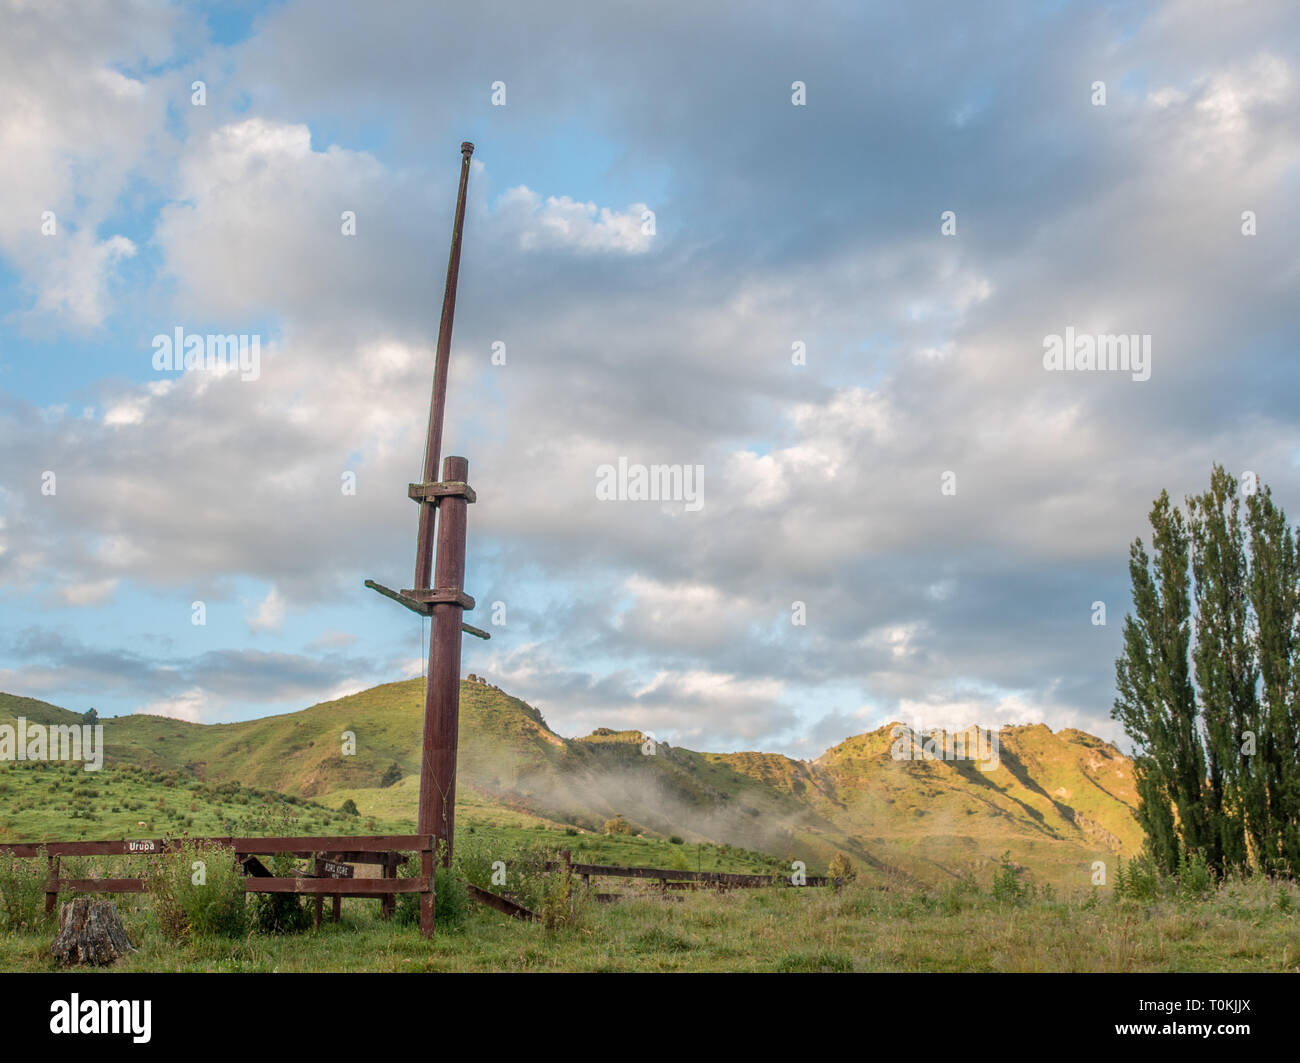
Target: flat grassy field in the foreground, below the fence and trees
{"x":1240,"y":927}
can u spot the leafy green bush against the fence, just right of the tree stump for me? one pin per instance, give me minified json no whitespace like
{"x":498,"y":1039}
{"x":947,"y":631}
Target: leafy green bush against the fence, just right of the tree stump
{"x":198,"y":893}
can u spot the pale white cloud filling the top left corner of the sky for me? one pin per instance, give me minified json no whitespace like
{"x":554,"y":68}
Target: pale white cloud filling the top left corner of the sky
{"x":73,"y":131}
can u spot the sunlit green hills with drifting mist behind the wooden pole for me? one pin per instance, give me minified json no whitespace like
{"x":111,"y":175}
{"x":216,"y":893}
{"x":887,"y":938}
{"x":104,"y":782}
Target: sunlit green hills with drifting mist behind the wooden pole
{"x":1056,"y":802}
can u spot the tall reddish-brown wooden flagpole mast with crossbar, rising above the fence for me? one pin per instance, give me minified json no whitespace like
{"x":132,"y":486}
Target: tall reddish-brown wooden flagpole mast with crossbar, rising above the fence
{"x":443,"y":598}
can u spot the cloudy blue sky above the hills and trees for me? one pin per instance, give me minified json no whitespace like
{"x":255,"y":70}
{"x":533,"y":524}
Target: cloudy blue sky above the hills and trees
{"x":774,"y":224}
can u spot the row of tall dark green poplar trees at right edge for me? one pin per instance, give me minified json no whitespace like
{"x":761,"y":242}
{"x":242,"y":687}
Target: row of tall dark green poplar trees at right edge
{"x":1210,"y":680}
